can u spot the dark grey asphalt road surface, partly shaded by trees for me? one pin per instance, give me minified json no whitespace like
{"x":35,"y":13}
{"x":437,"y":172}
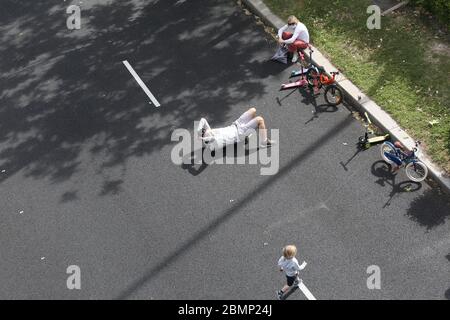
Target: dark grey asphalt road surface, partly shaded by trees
{"x":87,"y":178}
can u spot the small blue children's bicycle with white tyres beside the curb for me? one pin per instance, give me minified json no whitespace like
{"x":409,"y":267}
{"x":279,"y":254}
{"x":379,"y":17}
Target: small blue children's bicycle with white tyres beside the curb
{"x":416,"y":170}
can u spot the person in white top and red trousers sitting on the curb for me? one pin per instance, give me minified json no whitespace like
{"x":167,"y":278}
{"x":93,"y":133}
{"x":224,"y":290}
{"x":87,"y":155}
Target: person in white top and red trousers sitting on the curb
{"x":295,"y":35}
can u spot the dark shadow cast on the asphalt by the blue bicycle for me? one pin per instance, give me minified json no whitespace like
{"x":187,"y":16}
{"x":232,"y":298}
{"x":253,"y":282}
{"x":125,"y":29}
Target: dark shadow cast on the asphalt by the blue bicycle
{"x":382,"y":170}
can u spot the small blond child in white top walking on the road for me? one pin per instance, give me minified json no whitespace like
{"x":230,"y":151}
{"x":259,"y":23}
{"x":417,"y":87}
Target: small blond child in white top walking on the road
{"x":289,"y":264}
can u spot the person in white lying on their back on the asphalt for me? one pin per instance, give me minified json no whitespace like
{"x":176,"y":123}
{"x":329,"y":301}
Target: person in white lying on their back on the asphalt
{"x":247,"y":123}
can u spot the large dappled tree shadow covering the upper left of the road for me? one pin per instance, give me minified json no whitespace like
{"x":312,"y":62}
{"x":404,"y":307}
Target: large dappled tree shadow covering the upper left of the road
{"x":67,"y":99}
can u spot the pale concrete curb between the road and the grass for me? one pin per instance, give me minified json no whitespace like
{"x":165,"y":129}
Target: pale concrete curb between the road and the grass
{"x":356,"y":97}
